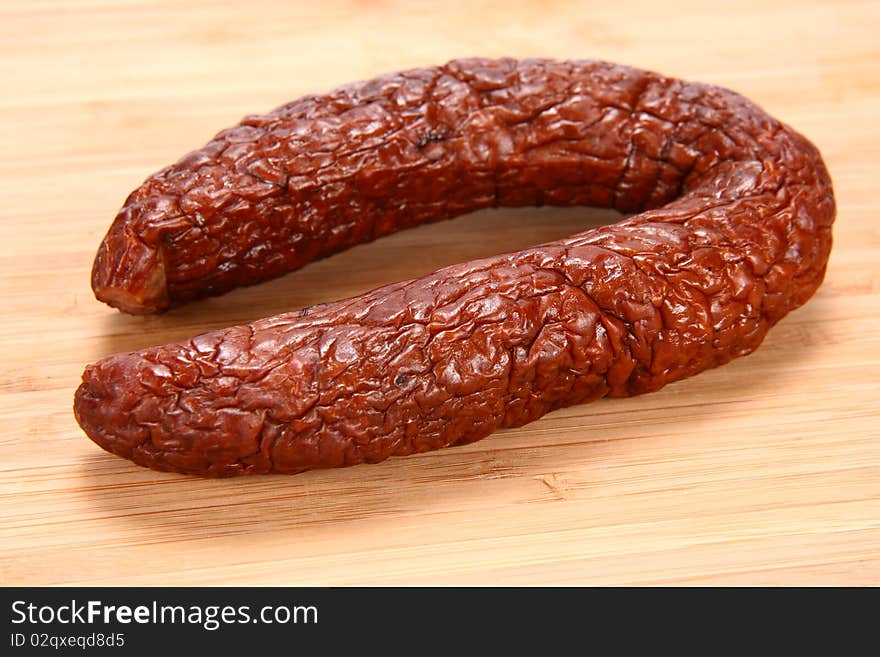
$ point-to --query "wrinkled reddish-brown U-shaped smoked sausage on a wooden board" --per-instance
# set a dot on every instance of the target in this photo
(734, 232)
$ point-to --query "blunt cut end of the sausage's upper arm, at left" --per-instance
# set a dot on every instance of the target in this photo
(130, 275)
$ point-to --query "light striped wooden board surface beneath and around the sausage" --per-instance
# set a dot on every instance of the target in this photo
(765, 471)
